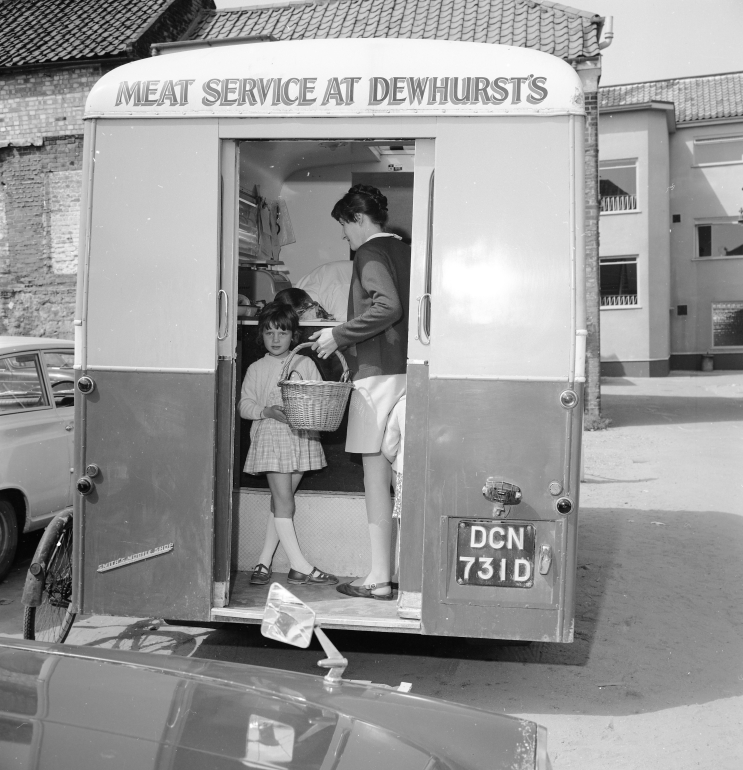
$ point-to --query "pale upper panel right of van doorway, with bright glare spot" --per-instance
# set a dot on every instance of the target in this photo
(501, 295)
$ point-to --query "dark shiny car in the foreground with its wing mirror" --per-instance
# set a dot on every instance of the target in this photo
(85, 708)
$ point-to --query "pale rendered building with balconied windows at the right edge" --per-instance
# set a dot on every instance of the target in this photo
(671, 225)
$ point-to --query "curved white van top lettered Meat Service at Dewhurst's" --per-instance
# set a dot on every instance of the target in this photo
(340, 77)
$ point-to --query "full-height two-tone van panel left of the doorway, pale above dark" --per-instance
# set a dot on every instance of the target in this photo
(150, 334)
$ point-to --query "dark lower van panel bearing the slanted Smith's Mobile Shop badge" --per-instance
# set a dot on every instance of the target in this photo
(152, 436)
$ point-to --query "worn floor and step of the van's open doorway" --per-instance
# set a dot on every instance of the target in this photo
(334, 610)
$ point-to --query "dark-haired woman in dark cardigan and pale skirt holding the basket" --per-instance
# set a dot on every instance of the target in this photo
(378, 328)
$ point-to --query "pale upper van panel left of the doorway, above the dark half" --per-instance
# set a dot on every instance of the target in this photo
(155, 238)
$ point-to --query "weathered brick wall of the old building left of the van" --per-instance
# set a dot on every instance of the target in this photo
(41, 143)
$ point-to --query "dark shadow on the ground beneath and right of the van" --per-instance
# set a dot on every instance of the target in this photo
(658, 624)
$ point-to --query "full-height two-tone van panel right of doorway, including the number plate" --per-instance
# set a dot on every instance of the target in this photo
(502, 353)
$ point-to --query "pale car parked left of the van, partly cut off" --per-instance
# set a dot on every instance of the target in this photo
(36, 436)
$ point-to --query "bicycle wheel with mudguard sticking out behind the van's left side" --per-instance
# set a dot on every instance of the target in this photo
(52, 619)
